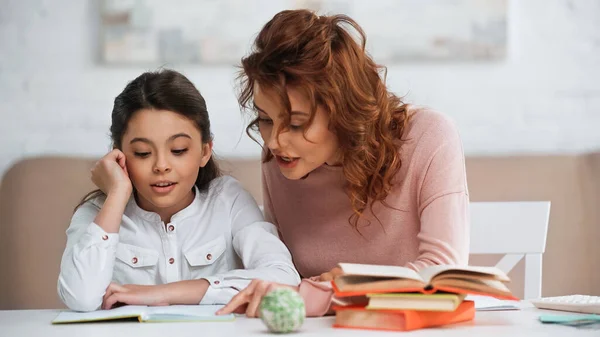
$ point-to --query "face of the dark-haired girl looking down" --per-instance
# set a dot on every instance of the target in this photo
(164, 152)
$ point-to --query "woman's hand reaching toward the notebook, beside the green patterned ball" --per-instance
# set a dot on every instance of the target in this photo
(249, 299)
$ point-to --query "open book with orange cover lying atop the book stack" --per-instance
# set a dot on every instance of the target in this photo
(361, 279)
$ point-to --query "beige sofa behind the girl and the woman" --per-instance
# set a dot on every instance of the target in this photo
(37, 197)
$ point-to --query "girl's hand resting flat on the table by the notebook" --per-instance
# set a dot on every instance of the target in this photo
(134, 295)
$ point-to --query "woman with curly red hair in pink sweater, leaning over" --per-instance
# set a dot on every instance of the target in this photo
(350, 172)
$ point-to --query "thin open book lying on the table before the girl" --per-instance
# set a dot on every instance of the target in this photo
(173, 313)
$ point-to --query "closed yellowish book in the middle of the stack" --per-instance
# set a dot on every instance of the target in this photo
(415, 301)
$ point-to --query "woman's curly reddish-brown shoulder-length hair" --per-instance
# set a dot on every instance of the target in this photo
(320, 56)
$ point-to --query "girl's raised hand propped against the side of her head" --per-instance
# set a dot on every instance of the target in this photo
(110, 174)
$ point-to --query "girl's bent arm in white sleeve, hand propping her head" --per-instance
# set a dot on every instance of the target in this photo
(88, 260)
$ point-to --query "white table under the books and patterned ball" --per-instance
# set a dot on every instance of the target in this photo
(33, 323)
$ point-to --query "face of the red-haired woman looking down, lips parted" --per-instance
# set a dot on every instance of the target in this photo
(298, 149)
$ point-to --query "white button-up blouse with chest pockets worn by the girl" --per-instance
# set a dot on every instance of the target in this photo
(221, 237)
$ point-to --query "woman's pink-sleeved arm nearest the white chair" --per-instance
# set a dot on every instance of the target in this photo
(443, 199)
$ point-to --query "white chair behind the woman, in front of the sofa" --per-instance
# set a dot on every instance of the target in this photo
(517, 230)
